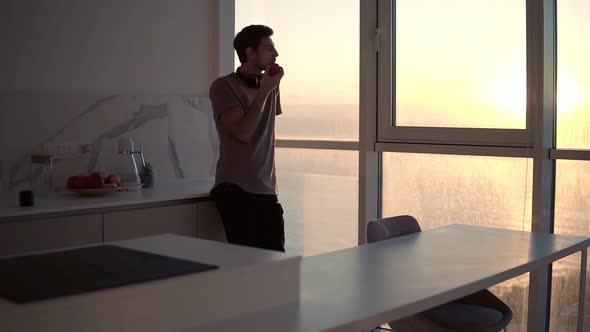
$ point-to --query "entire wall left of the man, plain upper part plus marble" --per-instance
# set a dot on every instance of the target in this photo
(62, 58)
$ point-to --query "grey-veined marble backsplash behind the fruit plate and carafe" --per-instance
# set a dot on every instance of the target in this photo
(177, 133)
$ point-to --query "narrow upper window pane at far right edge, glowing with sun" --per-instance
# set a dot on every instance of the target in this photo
(573, 75)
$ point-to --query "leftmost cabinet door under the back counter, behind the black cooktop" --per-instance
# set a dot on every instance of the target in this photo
(49, 234)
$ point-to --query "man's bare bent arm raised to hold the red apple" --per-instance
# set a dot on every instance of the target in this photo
(242, 125)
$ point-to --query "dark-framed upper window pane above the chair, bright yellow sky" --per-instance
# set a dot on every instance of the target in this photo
(460, 63)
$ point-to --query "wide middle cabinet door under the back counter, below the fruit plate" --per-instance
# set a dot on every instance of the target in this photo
(176, 219)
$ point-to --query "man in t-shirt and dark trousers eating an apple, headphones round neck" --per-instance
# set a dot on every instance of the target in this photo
(245, 104)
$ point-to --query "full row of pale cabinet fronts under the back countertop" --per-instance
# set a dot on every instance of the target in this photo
(199, 219)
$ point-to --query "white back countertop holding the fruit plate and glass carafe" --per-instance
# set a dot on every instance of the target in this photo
(51, 205)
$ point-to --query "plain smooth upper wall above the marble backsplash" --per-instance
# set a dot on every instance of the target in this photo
(122, 46)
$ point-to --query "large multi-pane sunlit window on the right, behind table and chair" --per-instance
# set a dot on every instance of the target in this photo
(457, 76)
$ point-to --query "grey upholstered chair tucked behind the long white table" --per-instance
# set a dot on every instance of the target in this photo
(480, 311)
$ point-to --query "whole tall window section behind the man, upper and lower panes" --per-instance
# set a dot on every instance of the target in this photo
(317, 158)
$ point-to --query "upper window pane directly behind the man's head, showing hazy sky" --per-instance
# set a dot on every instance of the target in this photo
(319, 50)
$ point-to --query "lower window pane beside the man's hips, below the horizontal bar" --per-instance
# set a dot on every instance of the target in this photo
(319, 193)
